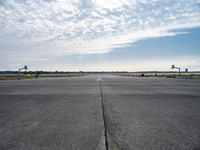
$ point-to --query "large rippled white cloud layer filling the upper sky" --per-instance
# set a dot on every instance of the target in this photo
(58, 27)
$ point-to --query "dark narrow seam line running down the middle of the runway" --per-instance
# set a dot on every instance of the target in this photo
(104, 117)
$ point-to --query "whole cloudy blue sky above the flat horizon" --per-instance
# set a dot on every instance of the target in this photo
(100, 35)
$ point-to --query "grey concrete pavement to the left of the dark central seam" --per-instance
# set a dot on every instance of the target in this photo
(51, 114)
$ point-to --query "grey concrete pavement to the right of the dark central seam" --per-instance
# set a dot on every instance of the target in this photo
(152, 113)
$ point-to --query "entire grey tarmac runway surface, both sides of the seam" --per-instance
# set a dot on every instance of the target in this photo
(100, 113)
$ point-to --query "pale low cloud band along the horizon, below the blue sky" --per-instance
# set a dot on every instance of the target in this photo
(191, 62)
